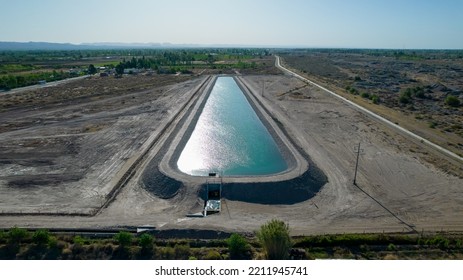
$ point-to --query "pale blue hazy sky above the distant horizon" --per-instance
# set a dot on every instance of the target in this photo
(305, 23)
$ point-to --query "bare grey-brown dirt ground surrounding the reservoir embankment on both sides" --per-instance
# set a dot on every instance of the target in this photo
(66, 158)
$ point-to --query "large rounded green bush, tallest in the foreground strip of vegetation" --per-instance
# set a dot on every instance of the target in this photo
(275, 240)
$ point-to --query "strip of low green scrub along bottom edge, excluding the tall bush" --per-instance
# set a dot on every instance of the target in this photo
(17, 243)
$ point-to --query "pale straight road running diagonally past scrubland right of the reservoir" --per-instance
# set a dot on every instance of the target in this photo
(370, 113)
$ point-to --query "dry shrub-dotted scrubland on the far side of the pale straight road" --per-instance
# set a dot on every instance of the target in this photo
(410, 88)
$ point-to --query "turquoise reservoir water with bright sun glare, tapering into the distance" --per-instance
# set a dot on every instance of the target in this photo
(229, 138)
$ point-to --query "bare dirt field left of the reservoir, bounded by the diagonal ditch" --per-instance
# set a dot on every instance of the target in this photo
(62, 155)
